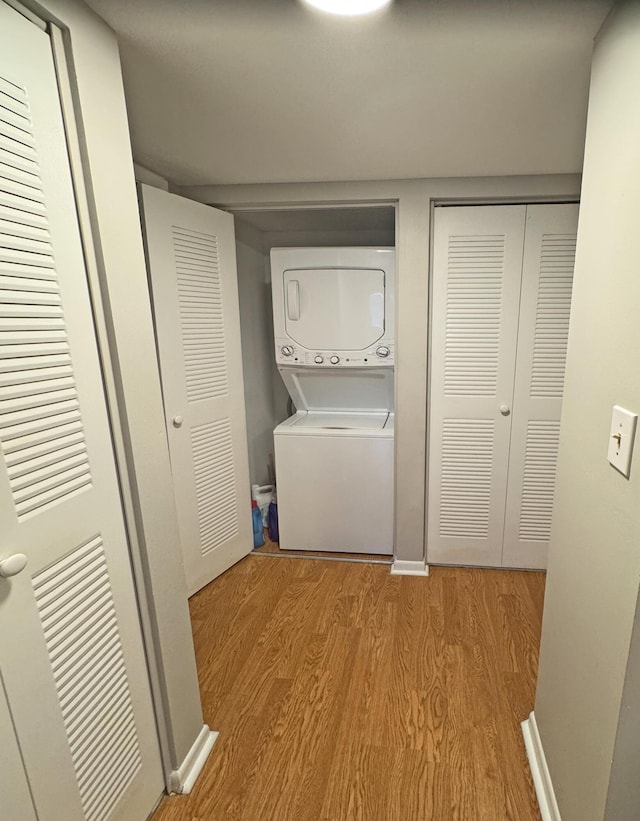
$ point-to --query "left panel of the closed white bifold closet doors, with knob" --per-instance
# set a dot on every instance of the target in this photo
(477, 268)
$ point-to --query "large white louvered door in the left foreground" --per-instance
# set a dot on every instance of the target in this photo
(71, 656)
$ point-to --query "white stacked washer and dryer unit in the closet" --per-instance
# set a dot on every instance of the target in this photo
(334, 344)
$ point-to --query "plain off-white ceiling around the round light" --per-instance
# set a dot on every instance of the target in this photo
(245, 91)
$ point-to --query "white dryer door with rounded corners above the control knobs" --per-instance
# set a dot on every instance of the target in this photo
(340, 309)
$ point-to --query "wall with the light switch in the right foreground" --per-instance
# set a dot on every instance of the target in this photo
(588, 699)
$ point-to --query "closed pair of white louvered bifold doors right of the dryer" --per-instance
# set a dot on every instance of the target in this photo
(501, 299)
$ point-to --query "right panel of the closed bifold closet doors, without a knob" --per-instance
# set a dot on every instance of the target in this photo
(549, 254)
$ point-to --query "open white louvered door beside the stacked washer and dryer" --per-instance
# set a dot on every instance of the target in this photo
(192, 264)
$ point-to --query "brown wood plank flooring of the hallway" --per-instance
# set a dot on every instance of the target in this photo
(343, 693)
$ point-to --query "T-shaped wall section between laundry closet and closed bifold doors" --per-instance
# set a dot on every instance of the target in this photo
(414, 200)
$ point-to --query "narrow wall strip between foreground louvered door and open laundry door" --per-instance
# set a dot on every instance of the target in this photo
(109, 177)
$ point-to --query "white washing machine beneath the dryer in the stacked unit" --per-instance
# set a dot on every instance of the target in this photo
(334, 467)
